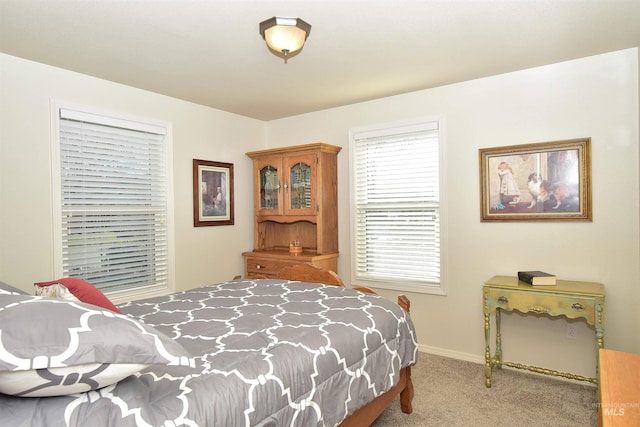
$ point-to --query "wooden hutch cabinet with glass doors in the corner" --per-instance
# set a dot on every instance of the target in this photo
(295, 199)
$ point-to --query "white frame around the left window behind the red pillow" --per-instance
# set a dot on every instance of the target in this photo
(123, 295)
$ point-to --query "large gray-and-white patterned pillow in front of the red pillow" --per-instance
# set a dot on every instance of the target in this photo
(52, 347)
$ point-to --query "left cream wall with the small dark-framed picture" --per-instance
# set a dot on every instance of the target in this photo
(203, 255)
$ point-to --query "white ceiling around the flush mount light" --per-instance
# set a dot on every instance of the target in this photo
(210, 52)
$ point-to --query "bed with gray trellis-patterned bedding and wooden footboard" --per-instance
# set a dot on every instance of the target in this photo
(247, 352)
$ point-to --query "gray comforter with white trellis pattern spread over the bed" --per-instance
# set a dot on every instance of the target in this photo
(267, 353)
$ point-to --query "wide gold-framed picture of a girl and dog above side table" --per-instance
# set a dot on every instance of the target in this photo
(547, 181)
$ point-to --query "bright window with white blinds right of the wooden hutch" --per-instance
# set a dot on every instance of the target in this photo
(396, 207)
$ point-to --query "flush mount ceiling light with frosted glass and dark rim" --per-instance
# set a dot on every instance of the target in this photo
(285, 36)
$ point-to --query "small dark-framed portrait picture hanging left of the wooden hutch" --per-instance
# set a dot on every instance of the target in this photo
(212, 193)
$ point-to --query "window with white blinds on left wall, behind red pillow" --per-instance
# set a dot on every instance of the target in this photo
(113, 193)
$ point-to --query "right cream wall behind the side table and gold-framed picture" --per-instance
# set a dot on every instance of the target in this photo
(593, 97)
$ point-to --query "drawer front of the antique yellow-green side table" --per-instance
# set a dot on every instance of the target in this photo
(553, 304)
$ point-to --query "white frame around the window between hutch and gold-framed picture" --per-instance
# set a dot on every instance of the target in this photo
(395, 284)
